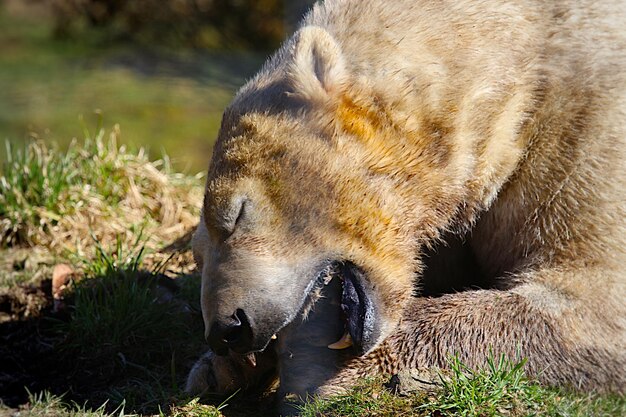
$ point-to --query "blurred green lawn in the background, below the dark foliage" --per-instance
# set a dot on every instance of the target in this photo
(170, 100)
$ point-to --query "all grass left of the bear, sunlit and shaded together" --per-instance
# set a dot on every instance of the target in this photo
(127, 333)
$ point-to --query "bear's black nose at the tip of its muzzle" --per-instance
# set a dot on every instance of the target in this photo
(232, 332)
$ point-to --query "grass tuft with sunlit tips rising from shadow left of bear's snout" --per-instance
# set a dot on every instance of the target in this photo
(115, 307)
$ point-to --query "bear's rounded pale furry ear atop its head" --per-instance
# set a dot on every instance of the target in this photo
(318, 69)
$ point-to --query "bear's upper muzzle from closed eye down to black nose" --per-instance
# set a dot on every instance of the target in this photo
(253, 271)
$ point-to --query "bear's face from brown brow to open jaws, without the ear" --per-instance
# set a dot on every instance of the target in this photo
(277, 225)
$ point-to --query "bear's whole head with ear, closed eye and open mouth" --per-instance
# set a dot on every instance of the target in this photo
(302, 187)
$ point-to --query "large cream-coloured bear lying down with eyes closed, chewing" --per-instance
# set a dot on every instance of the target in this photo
(408, 180)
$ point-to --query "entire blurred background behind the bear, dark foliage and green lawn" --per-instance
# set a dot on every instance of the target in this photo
(162, 70)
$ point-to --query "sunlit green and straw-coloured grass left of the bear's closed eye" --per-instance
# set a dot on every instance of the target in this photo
(60, 199)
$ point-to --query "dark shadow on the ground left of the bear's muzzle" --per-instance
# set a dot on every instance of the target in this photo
(39, 350)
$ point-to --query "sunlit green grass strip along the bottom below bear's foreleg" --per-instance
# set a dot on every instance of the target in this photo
(498, 389)
